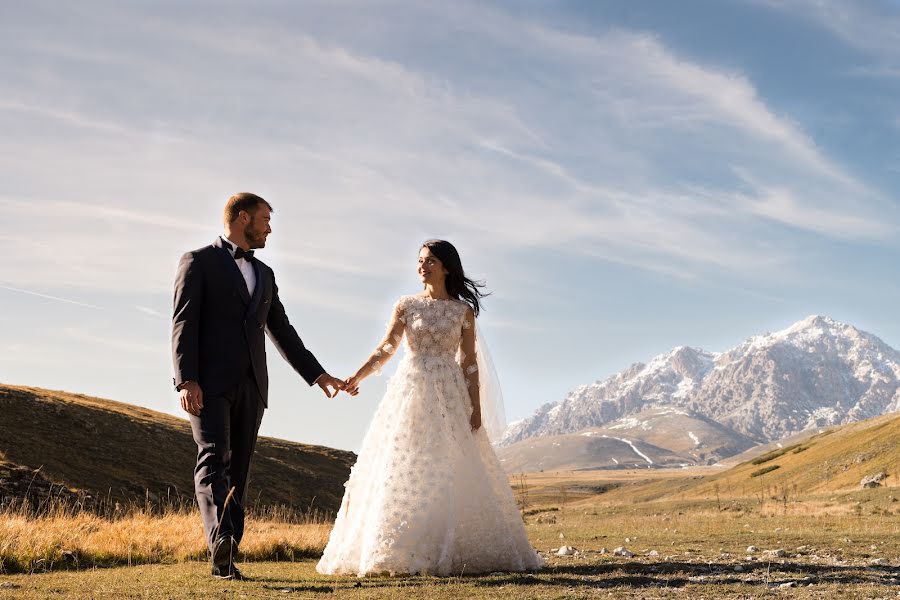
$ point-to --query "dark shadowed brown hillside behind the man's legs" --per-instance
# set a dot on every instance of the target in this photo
(70, 445)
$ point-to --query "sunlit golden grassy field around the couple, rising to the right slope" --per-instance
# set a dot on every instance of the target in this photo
(793, 522)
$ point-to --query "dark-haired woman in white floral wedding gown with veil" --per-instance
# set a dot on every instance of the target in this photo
(427, 493)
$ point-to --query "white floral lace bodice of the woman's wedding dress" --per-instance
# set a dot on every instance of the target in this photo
(433, 327)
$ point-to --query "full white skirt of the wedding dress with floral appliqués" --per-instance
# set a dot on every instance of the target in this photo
(427, 494)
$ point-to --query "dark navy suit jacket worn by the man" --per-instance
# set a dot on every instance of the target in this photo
(218, 330)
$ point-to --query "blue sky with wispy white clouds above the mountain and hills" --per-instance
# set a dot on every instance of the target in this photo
(627, 177)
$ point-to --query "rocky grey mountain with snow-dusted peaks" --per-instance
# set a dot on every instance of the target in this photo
(816, 373)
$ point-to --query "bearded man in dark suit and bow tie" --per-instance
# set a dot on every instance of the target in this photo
(225, 302)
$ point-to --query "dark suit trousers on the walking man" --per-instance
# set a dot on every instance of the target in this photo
(225, 433)
